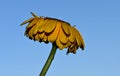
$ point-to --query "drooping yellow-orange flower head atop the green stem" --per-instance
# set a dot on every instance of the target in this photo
(45, 29)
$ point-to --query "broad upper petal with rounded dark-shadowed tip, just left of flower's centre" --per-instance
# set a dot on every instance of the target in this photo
(51, 26)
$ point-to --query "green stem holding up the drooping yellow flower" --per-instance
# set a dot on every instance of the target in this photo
(49, 60)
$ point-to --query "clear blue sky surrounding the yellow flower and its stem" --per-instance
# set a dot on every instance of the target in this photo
(97, 20)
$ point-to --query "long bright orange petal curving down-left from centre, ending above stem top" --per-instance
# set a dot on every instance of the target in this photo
(53, 36)
